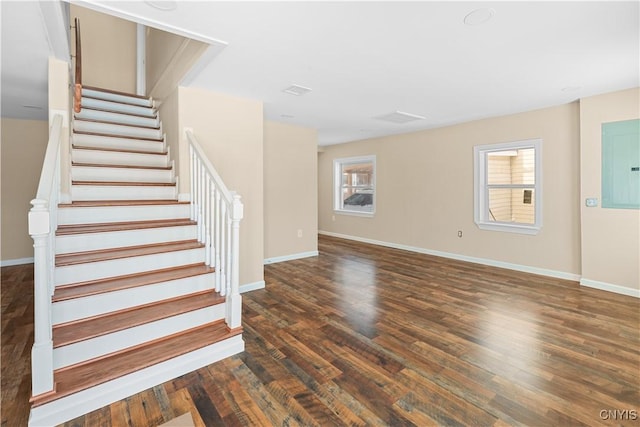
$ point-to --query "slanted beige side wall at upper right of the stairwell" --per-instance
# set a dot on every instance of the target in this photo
(168, 58)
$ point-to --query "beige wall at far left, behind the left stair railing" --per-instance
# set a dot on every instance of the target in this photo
(23, 144)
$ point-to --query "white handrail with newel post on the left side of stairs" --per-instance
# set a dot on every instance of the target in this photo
(42, 228)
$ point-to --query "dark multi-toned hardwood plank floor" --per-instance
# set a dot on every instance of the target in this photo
(364, 335)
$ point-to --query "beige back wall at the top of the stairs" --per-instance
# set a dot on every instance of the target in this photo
(108, 50)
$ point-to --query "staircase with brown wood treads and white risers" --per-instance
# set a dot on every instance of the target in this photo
(134, 301)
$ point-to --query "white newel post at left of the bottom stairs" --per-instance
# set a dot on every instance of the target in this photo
(42, 351)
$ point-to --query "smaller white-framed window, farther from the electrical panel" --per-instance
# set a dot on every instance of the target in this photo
(354, 185)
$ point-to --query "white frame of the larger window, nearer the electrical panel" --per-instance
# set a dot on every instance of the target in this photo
(481, 187)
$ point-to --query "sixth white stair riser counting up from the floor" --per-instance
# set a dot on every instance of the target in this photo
(100, 214)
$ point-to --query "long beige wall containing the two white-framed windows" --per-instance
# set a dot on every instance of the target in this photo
(425, 190)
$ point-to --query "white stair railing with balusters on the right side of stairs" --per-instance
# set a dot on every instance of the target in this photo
(218, 212)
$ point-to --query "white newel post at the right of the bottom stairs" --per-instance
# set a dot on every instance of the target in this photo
(234, 306)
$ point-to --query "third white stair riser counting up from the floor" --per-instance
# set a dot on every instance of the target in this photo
(94, 305)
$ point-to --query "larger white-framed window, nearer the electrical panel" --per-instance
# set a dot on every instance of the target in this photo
(508, 186)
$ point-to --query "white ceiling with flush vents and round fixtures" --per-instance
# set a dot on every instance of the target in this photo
(367, 59)
